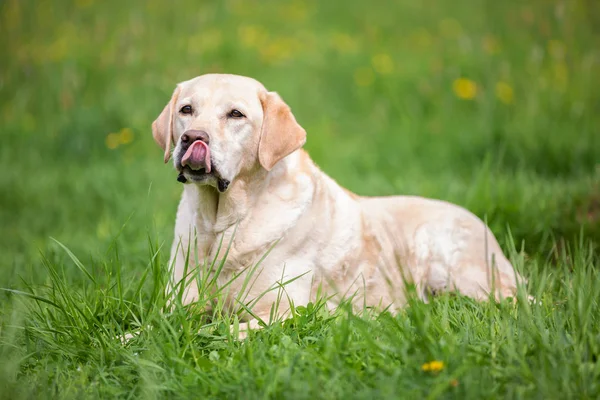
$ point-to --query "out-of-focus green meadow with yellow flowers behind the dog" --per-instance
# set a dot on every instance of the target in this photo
(492, 105)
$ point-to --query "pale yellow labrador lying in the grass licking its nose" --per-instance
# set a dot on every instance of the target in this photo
(247, 181)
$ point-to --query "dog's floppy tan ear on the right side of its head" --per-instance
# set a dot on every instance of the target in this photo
(281, 134)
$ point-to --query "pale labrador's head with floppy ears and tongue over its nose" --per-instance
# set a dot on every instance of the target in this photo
(224, 126)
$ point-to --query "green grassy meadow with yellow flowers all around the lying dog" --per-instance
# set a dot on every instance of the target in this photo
(373, 83)
